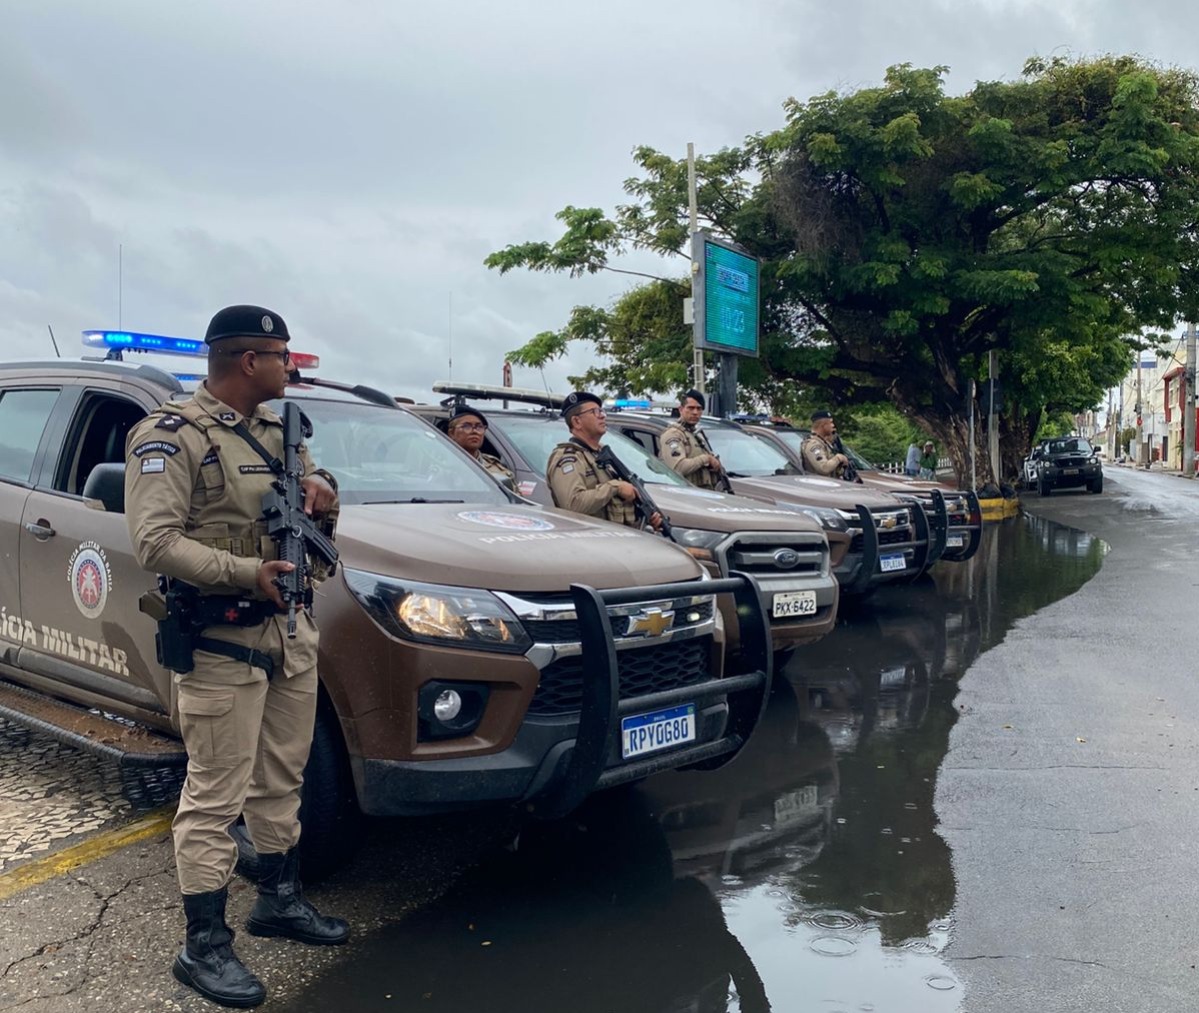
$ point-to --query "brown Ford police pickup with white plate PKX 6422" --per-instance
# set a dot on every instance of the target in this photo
(785, 550)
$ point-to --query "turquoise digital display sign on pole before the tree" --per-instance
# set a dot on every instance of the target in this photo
(726, 286)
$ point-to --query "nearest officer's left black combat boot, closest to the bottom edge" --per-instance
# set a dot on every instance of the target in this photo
(207, 962)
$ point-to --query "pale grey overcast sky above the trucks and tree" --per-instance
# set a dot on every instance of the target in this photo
(351, 164)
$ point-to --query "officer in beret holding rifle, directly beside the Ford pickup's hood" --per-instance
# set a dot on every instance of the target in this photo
(577, 481)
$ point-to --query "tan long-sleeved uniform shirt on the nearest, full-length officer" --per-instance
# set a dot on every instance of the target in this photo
(194, 493)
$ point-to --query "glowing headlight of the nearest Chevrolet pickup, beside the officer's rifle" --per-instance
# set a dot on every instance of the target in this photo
(438, 613)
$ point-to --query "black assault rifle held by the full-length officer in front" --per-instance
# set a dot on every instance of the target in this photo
(293, 530)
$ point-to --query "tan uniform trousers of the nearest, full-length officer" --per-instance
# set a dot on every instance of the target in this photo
(248, 744)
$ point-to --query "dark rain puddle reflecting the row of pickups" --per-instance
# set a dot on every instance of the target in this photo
(806, 876)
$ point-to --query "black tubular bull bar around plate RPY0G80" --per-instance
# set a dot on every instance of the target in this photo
(748, 694)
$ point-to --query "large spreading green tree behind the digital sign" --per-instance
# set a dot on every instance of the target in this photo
(906, 234)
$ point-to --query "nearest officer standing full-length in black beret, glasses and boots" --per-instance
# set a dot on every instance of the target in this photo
(195, 486)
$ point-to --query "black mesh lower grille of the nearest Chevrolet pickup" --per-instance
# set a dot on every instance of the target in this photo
(642, 671)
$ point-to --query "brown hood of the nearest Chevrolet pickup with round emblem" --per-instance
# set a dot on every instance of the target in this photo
(505, 548)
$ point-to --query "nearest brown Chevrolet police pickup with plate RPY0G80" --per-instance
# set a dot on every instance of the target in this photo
(475, 649)
